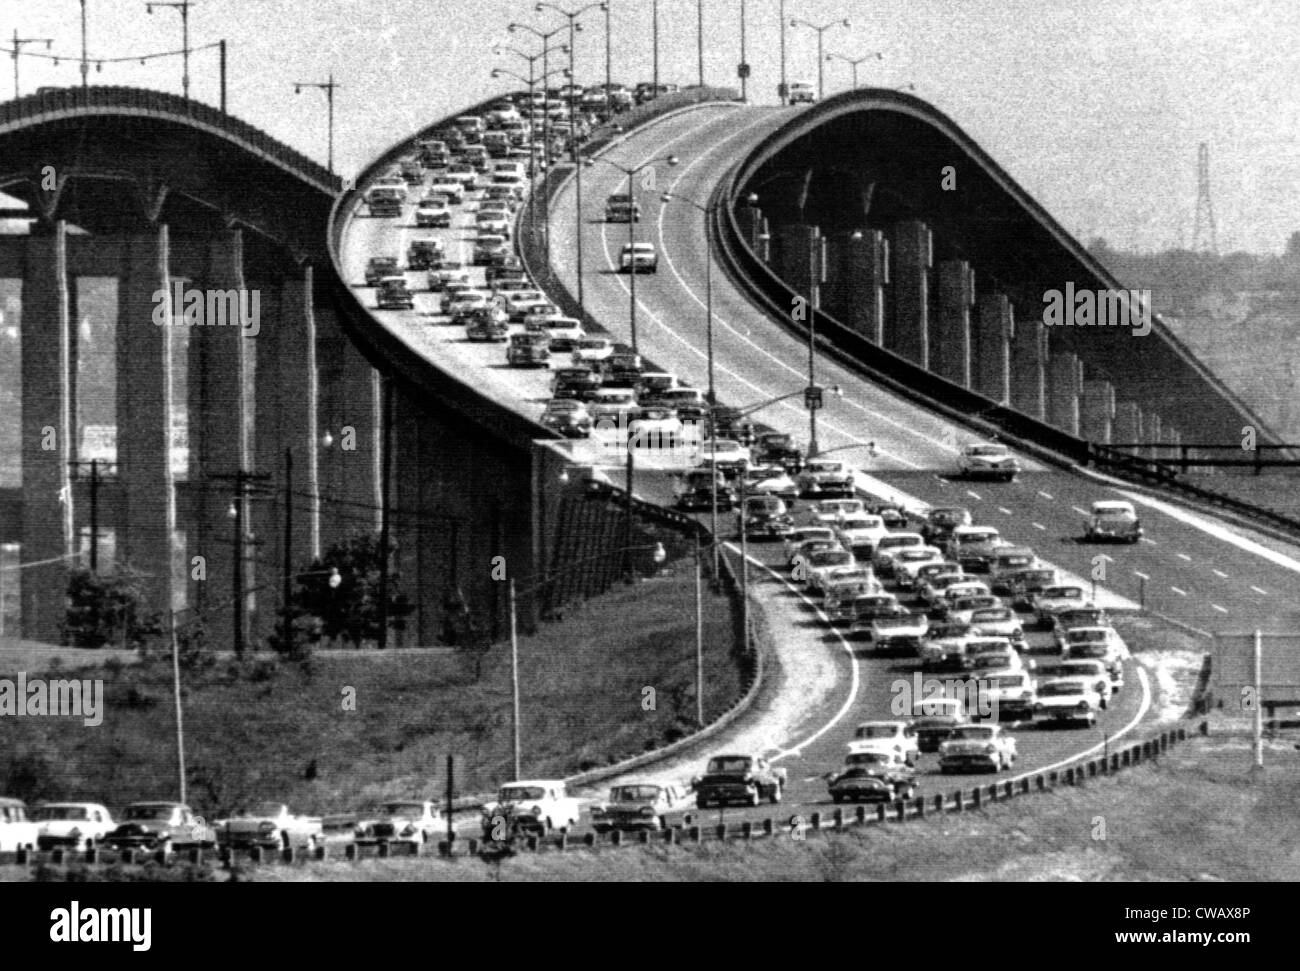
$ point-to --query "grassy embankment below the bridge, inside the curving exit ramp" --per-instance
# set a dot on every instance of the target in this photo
(270, 730)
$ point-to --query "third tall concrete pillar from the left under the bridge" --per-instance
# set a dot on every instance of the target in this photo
(219, 426)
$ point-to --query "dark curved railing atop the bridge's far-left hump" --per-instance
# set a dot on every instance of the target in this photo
(71, 101)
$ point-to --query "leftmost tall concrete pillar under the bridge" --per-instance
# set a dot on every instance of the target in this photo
(47, 434)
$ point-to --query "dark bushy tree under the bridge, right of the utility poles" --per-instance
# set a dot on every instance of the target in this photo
(349, 609)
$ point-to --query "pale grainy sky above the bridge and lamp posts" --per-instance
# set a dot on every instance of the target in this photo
(1097, 107)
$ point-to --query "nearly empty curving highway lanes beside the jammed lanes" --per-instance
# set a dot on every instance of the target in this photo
(1204, 573)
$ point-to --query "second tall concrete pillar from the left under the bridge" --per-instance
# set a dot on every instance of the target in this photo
(145, 415)
